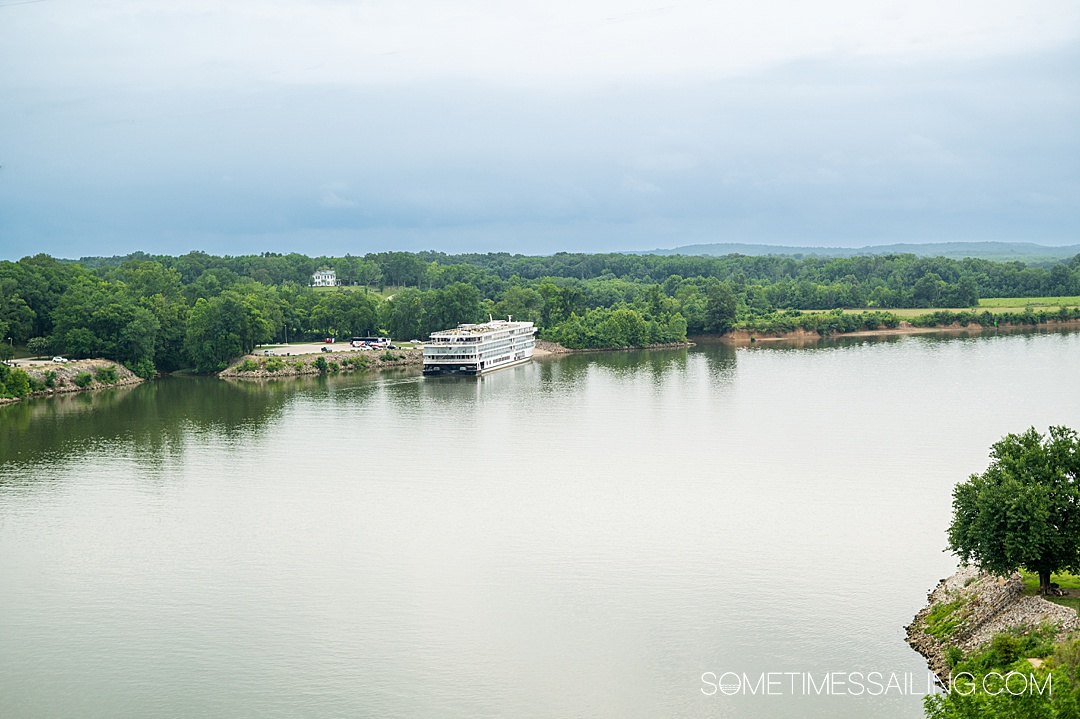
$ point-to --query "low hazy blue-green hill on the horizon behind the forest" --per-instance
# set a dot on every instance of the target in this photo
(1024, 252)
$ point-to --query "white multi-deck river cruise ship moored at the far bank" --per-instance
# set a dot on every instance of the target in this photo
(479, 349)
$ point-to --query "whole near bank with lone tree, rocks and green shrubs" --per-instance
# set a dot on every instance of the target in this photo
(1009, 615)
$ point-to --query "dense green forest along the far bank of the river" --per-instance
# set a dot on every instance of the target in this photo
(164, 314)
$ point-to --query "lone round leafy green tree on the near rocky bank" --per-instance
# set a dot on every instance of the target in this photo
(1024, 511)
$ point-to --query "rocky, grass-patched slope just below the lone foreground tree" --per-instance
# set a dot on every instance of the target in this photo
(966, 611)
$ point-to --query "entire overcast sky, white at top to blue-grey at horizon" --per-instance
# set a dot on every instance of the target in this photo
(337, 127)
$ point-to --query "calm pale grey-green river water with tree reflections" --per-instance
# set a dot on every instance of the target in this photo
(582, 537)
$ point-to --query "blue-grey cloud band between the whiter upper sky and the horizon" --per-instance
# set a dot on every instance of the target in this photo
(838, 152)
